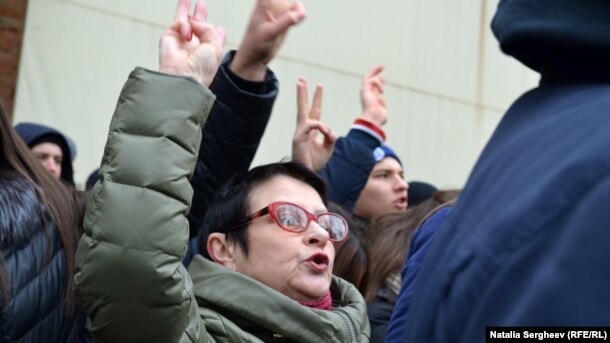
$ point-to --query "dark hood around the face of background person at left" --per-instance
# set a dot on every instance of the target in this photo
(33, 134)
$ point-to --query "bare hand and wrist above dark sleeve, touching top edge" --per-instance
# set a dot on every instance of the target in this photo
(268, 26)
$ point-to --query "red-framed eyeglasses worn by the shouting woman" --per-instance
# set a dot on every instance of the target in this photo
(293, 218)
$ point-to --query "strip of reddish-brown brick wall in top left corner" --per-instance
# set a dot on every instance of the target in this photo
(12, 23)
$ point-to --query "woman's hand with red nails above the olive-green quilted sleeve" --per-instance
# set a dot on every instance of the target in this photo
(191, 46)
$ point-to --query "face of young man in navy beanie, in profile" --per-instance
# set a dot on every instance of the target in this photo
(385, 191)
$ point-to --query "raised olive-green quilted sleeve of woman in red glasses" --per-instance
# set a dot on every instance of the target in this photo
(129, 277)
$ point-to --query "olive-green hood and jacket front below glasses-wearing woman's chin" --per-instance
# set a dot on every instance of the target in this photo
(237, 308)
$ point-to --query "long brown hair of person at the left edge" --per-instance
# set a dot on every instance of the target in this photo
(60, 201)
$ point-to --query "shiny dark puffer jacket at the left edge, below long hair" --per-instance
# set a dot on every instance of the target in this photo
(34, 262)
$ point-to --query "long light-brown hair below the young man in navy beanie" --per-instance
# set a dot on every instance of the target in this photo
(390, 235)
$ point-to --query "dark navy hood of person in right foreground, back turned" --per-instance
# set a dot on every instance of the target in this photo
(556, 34)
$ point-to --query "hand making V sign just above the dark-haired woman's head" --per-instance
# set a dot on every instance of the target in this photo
(306, 147)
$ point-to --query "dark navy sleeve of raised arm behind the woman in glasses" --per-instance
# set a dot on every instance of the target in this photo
(230, 137)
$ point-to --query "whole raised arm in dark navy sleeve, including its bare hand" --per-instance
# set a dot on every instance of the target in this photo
(245, 90)
